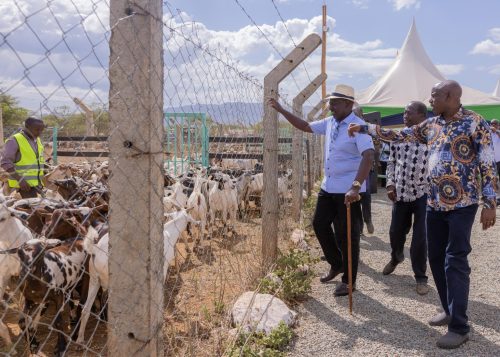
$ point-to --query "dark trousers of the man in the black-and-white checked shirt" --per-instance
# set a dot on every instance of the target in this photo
(402, 213)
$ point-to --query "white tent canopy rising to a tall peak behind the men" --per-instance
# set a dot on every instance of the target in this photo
(411, 77)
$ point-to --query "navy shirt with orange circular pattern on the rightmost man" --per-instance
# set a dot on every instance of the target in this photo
(461, 158)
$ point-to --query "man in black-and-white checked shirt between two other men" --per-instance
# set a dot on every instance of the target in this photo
(407, 186)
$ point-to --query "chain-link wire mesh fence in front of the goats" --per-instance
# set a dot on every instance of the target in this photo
(191, 175)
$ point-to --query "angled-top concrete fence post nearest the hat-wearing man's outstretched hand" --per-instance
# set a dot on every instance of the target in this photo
(270, 213)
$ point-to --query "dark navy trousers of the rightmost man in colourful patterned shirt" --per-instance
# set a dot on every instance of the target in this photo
(448, 235)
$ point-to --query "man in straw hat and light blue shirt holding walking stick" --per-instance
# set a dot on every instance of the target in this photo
(347, 164)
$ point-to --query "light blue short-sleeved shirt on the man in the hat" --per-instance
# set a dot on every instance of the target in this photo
(342, 153)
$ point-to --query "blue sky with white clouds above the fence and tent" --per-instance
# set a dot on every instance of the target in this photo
(220, 50)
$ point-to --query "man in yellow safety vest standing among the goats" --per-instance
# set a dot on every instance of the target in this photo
(23, 158)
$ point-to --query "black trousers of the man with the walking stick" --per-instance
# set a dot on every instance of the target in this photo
(330, 208)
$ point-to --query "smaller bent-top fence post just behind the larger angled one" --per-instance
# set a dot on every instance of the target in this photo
(297, 146)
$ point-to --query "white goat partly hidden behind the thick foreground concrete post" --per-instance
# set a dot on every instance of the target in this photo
(98, 265)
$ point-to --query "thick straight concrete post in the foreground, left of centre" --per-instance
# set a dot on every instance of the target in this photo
(136, 185)
